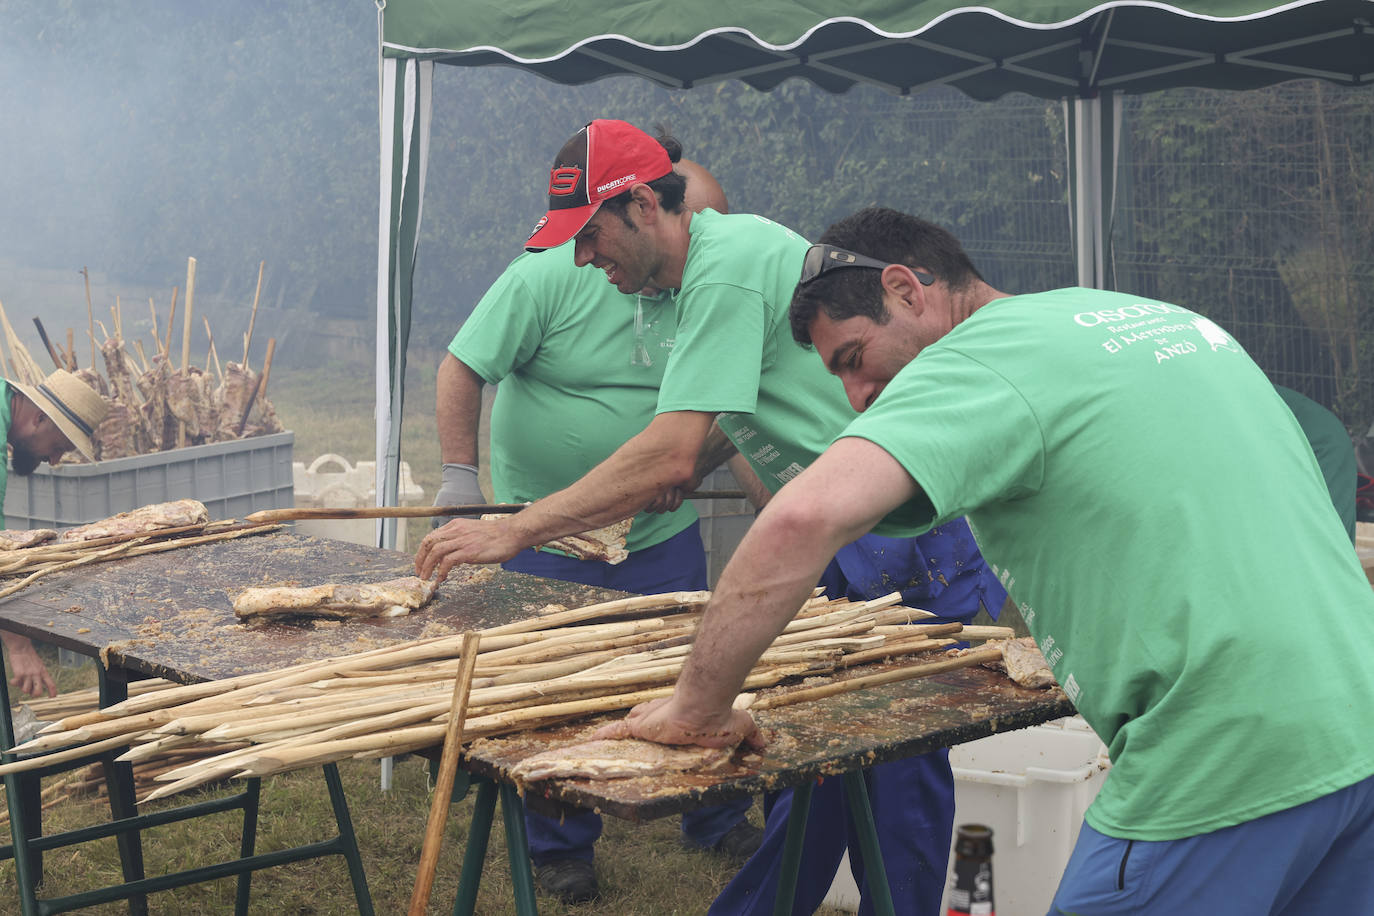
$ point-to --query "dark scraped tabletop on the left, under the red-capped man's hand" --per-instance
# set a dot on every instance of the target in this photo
(172, 616)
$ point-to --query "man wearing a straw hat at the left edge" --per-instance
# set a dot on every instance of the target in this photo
(43, 424)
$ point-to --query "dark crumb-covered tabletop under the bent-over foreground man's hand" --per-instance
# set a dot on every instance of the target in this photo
(807, 741)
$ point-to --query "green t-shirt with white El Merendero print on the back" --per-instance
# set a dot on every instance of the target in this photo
(1163, 525)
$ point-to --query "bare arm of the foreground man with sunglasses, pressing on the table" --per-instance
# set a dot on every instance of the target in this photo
(843, 495)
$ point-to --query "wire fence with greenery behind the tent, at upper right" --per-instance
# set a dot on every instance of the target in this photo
(1252, 208)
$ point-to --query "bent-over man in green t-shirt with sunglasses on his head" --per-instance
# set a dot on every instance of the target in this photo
(1105, 450)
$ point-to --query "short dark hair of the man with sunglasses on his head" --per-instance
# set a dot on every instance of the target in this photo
(887, 236)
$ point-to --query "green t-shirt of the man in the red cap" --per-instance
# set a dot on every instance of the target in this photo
(736, 354)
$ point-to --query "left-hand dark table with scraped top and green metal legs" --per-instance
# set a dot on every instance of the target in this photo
(171, 616)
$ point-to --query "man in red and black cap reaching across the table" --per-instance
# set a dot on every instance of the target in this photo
(736, 371)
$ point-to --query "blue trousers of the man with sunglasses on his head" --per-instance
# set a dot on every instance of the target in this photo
(1317, 858)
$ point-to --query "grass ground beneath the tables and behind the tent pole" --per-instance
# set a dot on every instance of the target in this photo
(644, 870)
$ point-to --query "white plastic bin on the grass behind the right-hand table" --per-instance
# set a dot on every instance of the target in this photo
(1031, 788)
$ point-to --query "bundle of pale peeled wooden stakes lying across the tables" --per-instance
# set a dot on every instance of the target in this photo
(552, 668)
